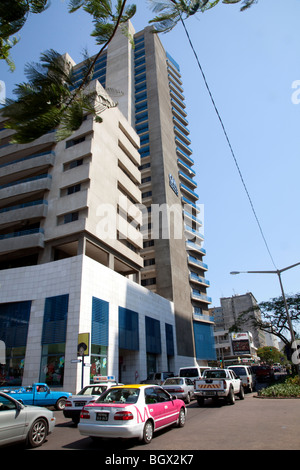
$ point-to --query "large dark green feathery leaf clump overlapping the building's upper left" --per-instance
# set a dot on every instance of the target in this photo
(46, 101)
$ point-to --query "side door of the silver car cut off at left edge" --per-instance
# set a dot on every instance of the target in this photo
(12, 421)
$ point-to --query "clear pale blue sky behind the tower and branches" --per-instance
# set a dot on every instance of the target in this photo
(251, 61)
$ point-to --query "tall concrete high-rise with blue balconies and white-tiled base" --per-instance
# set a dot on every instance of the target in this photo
(78, 220)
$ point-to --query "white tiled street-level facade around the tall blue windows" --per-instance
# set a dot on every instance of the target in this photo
(82, 278)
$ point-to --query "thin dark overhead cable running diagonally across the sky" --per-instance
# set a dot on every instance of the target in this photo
(229, 143)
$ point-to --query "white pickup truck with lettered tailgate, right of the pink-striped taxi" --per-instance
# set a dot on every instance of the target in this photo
(219, 383)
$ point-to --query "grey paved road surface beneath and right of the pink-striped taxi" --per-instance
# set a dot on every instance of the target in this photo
(251, 424)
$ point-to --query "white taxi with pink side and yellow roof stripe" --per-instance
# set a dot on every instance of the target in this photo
(131, 411)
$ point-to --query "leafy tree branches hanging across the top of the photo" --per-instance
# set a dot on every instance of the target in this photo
(47, 101)
